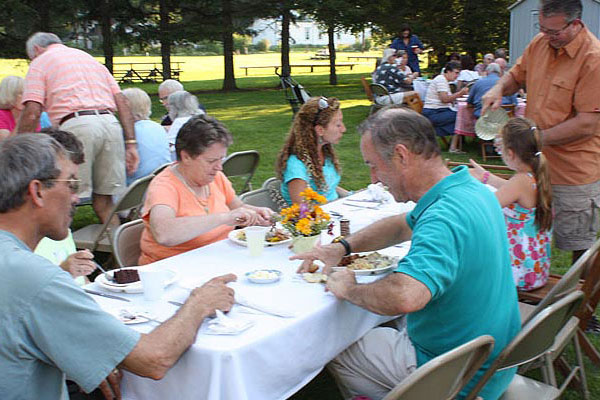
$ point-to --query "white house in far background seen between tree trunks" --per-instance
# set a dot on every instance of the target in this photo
(301, 32)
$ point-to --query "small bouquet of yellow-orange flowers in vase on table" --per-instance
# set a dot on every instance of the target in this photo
(306, 220)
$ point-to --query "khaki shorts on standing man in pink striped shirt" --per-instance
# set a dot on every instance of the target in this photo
(103, 171)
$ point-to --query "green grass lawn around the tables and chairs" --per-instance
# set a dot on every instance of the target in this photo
(259, 118)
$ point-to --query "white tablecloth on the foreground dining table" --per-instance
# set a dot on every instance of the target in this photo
(275, 357)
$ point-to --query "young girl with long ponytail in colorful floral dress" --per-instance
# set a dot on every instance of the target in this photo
(526, 199)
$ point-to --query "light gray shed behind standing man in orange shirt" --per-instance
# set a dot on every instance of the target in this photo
(524, 17)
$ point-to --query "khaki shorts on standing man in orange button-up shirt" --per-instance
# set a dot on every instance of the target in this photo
(576, 215)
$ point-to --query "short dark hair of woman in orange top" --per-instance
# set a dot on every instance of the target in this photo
(199, 133)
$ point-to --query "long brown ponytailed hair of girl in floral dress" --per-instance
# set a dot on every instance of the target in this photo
(522, 137)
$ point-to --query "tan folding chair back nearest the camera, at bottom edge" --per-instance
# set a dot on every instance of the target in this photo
(444, 376)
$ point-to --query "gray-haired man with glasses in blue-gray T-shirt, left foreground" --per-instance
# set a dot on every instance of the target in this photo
(49, 327)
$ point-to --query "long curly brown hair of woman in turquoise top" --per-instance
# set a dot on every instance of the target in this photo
(303, 142)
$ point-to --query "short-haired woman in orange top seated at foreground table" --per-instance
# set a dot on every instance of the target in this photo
(191, 203)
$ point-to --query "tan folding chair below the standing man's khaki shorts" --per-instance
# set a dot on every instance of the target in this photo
(98, 236)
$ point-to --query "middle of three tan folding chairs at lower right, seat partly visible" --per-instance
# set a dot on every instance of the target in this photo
(532, 342)
